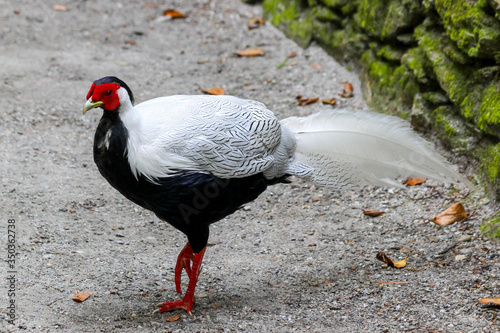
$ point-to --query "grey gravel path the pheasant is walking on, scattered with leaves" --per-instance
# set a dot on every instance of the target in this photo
(300, 258)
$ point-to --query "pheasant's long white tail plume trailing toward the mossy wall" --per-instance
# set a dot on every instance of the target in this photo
(343, 148)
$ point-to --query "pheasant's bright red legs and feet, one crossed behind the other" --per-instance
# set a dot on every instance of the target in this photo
(184, 261)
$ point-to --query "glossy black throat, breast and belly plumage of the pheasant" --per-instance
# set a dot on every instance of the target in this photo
(188, 201)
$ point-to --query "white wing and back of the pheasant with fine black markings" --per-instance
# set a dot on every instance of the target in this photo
(222, 135)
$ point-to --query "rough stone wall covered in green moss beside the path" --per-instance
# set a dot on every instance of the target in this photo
(433, 62)
